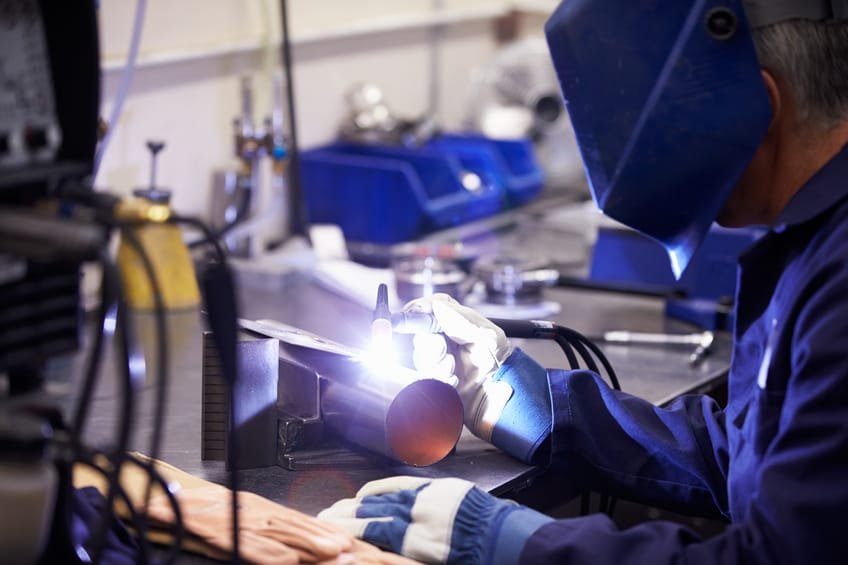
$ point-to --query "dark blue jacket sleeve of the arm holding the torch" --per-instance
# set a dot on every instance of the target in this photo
(611, 442)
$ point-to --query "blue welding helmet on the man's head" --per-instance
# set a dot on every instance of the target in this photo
(668, 104)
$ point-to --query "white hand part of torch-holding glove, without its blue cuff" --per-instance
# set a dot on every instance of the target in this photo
(479, 349)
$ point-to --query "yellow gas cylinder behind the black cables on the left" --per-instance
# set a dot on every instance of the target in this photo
(164, 246)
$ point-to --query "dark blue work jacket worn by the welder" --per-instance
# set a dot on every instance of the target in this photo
(774, 462)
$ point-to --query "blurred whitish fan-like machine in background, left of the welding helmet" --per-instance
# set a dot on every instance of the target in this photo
(516, 95)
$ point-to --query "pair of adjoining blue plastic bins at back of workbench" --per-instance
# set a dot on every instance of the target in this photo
(389, 194)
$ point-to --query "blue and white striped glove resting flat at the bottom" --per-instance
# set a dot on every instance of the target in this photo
(437, 520)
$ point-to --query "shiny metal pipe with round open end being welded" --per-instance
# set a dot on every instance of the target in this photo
(417, 422)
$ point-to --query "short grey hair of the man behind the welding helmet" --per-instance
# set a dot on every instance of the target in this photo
(812, 57)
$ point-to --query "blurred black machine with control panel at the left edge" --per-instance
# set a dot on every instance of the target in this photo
(49, 96)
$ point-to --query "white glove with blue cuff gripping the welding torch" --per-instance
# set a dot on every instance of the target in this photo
(504, 392)
